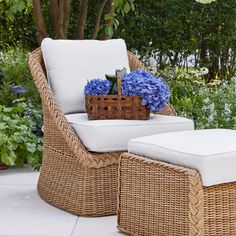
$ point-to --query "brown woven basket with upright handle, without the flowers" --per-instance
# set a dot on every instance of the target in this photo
(116, 106)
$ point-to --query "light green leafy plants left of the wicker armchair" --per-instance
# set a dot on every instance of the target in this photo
(20, 119)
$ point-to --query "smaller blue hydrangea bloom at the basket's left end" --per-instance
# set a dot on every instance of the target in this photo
(97, 87)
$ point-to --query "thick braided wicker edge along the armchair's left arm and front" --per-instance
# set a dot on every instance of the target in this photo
(67, 132)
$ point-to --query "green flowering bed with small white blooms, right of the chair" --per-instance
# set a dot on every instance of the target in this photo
(210, 105)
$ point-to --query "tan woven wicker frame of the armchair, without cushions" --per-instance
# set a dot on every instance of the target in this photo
(72, 178)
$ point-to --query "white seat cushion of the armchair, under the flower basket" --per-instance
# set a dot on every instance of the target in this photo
(113, 135)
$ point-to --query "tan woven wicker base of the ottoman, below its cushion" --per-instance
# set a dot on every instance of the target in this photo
(160, 199)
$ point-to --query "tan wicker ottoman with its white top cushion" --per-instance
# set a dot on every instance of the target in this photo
(186, 187)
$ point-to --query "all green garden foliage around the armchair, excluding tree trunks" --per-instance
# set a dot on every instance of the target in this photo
(182, 37)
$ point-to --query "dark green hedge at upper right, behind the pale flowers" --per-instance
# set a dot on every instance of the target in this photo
(184, 33)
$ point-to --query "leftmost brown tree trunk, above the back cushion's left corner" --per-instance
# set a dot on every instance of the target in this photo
(41, 32)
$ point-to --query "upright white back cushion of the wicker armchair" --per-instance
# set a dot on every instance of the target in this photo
(71, 63)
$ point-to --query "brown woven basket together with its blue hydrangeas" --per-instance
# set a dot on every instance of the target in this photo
(129, 96)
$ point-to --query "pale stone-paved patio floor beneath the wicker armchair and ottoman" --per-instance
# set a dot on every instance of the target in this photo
(24, 213)
